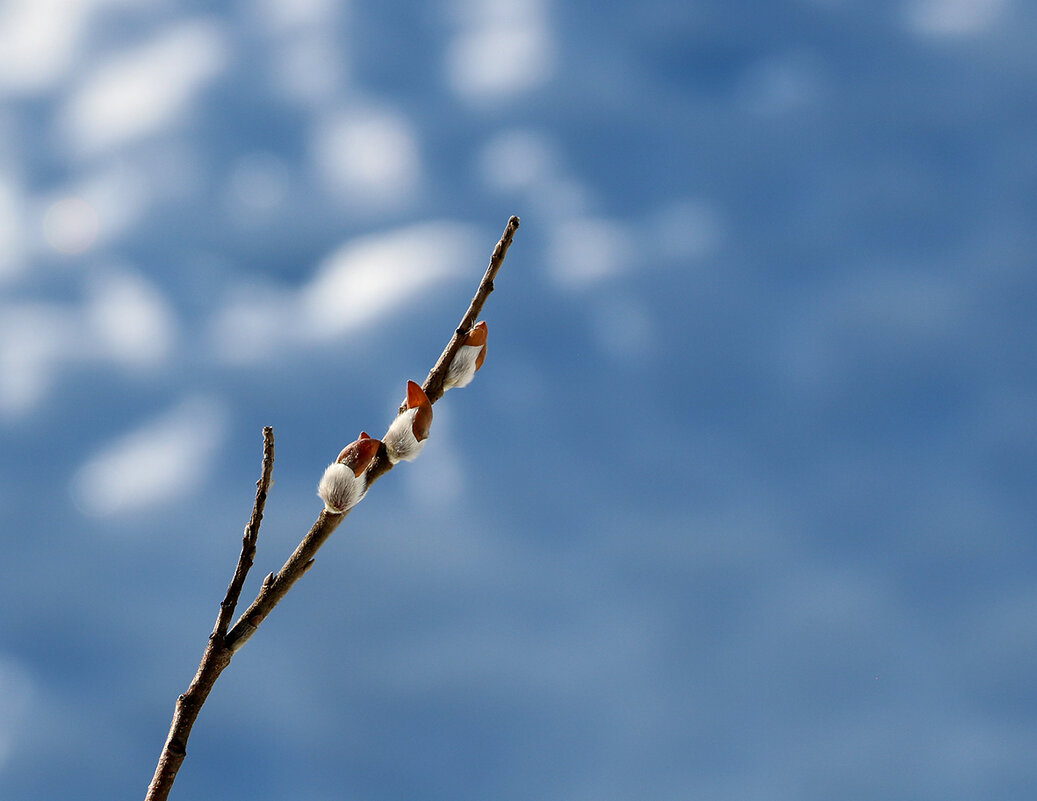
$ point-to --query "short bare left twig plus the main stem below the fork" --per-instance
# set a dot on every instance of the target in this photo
(217, 655)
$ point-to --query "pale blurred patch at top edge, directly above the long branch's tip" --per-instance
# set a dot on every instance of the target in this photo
(503, 49)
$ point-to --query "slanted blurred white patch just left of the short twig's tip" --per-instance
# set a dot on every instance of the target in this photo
(156, 465)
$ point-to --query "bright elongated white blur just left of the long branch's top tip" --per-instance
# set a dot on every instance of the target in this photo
(374, 277)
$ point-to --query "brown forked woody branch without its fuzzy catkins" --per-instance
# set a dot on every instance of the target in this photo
(226, 640)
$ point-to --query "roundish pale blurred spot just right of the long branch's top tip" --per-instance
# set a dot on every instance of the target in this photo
(586, 252)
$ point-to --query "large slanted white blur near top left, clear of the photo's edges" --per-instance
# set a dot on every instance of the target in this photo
(146, 90)
